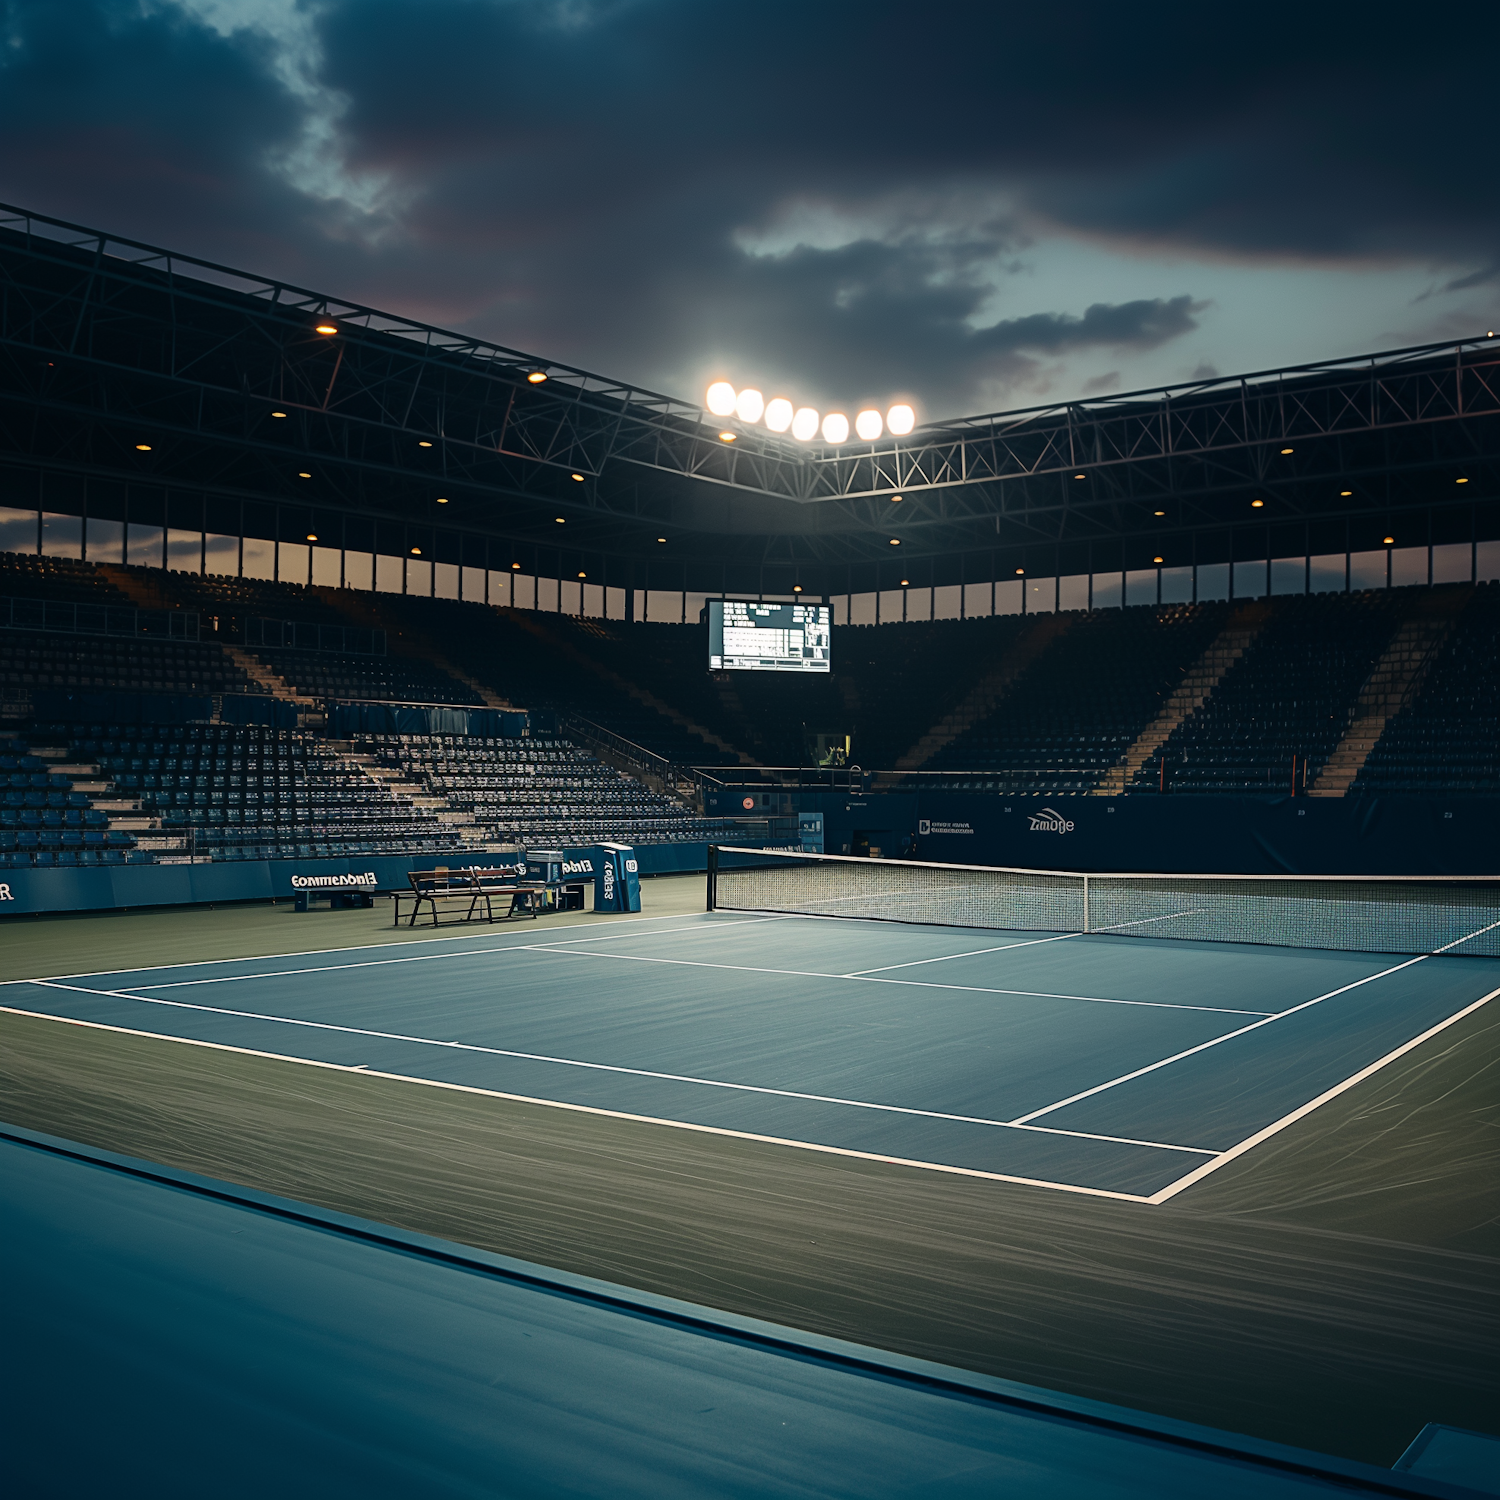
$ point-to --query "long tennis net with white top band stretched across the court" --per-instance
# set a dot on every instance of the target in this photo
(1360, 914)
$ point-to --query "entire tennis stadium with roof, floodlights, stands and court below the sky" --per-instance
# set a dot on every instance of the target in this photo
(1138, 752)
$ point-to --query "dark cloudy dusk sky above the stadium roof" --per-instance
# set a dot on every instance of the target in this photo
(971, 206)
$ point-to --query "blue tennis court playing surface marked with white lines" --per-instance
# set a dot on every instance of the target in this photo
(1109, 1066)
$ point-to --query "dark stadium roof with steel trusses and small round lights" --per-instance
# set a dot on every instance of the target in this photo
(128, 365)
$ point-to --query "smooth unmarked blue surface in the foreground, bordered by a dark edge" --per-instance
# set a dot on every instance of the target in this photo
(172, 1336)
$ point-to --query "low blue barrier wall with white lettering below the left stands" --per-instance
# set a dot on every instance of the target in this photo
(112, 887)
